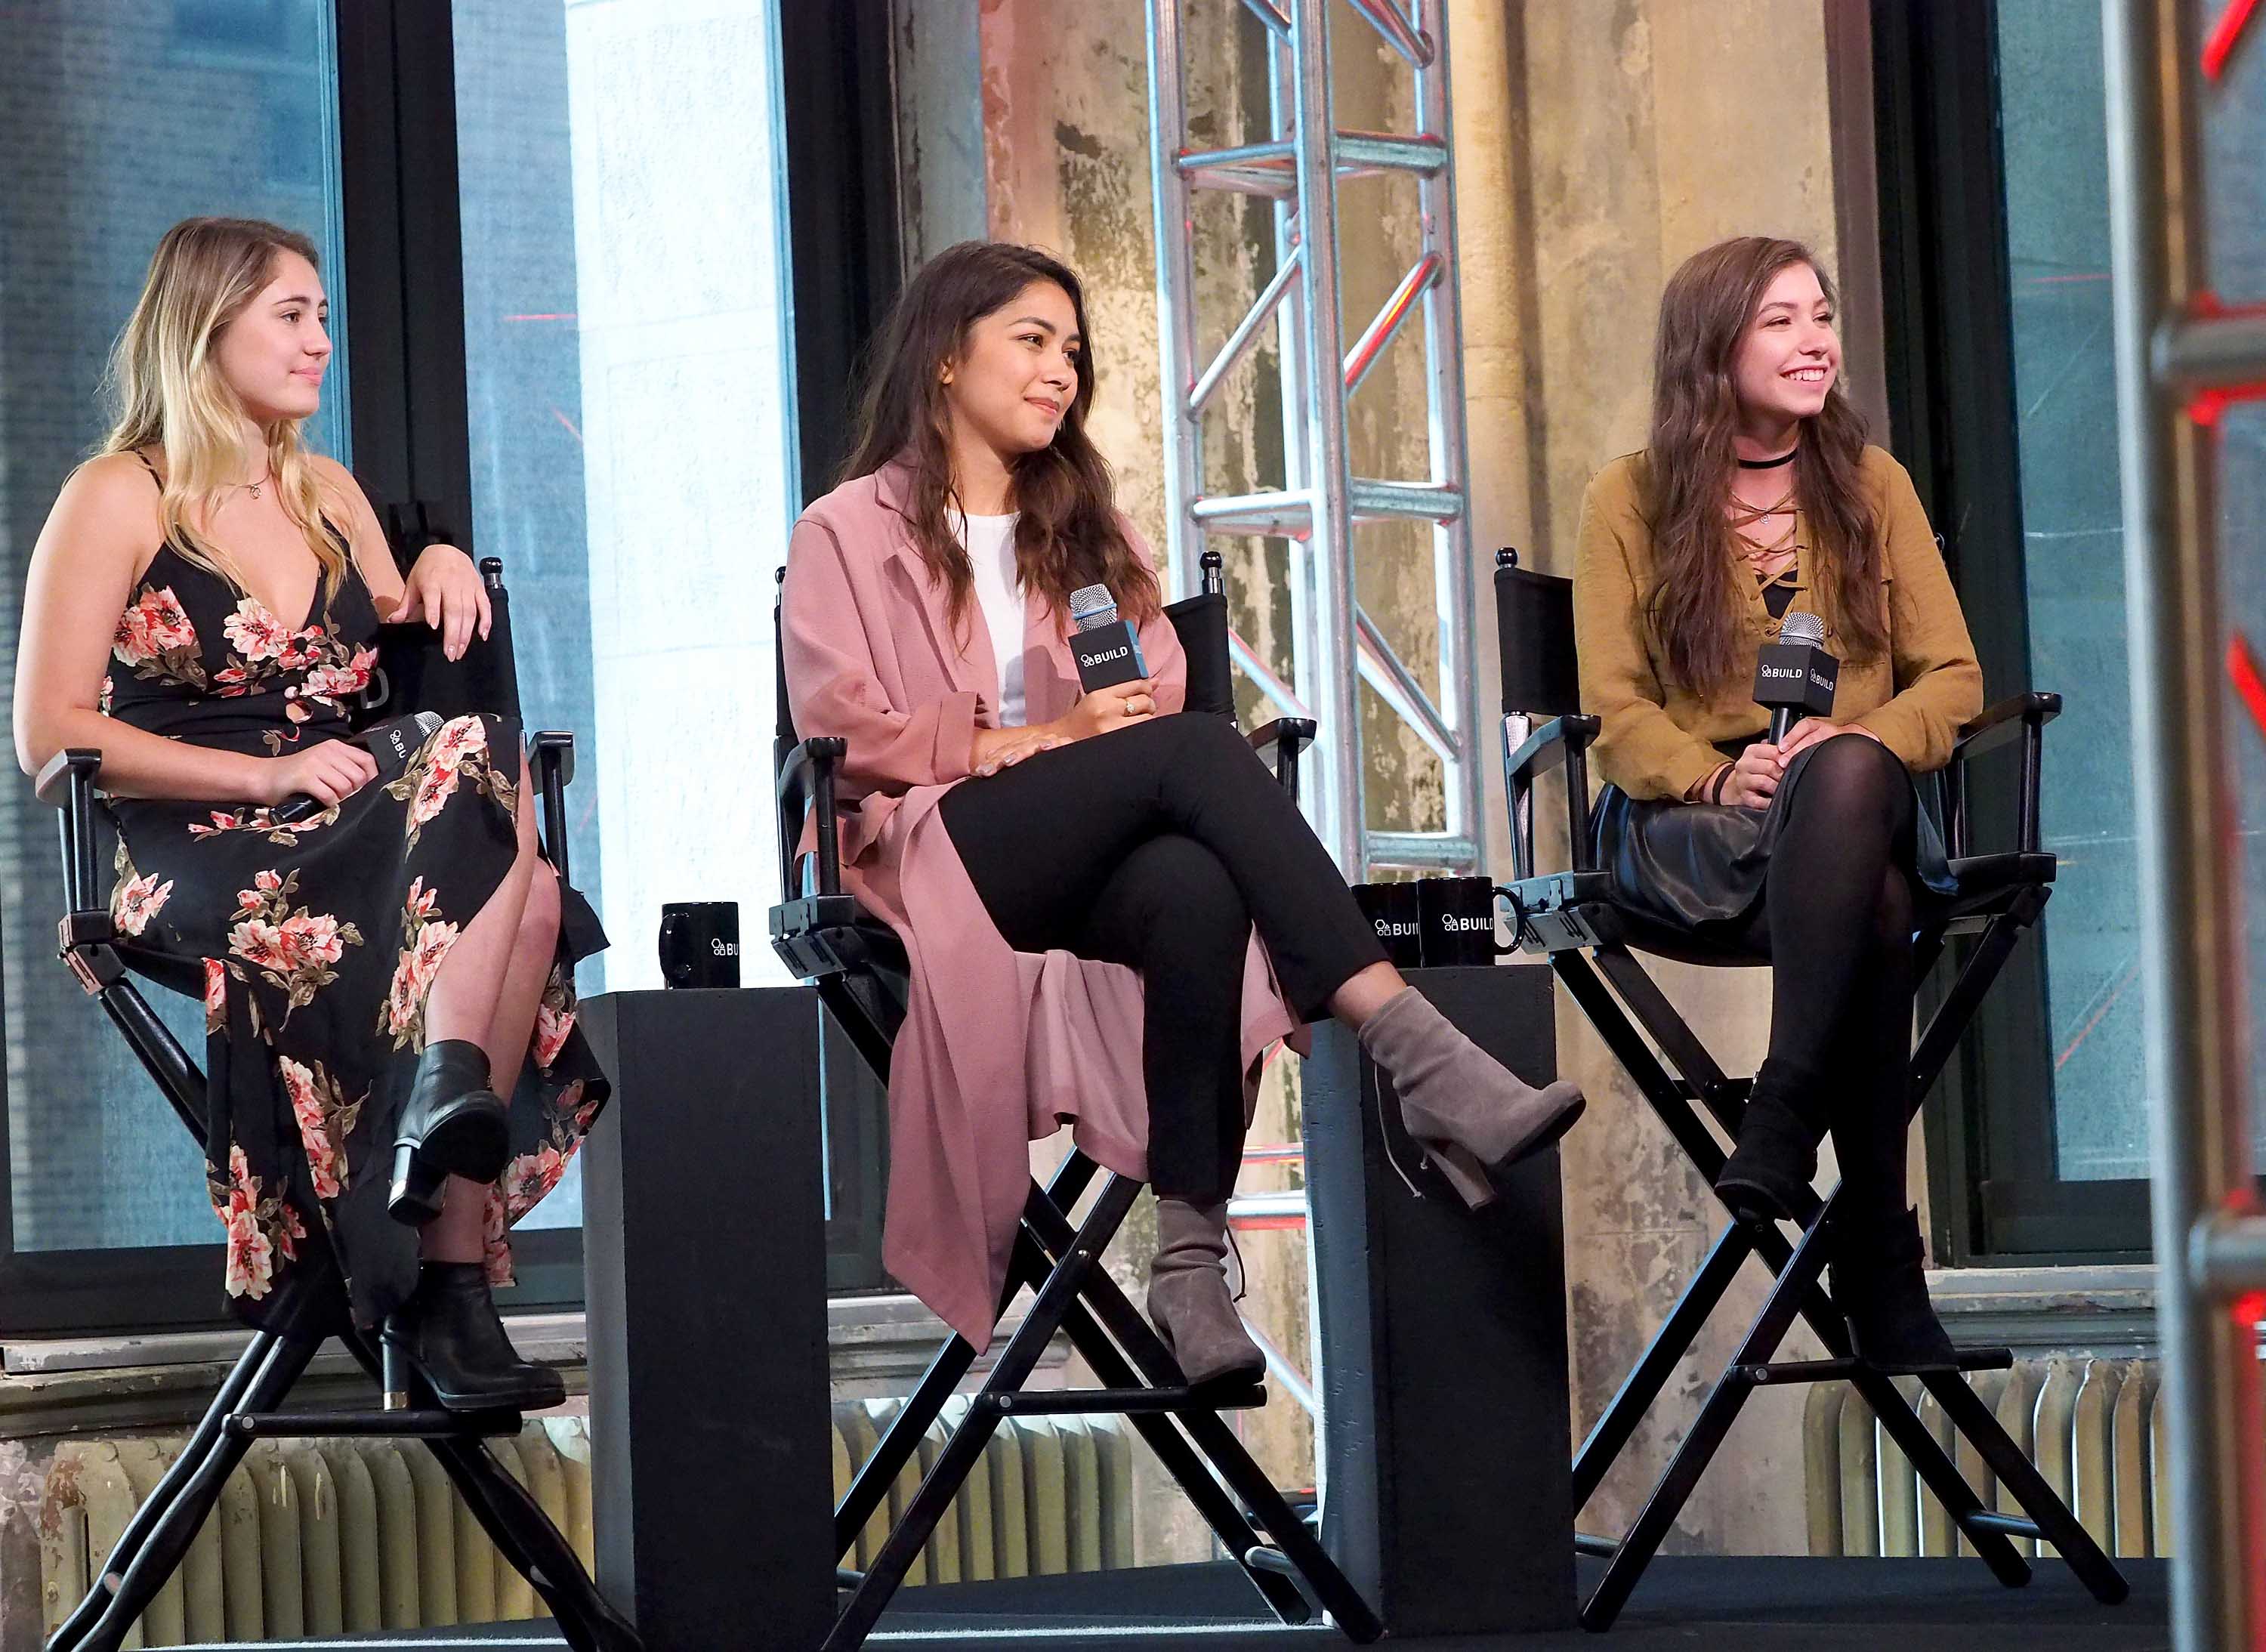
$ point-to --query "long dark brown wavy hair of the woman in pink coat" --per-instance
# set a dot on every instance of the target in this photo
(1066, 527)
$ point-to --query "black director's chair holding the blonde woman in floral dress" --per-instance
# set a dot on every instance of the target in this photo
(312, 1304)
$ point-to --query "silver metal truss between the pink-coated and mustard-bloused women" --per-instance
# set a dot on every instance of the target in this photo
(1334, 642)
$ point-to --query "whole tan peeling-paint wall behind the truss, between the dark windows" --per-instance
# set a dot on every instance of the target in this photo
(1596, 146)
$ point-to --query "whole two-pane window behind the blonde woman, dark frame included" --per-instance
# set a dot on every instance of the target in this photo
(554, 235)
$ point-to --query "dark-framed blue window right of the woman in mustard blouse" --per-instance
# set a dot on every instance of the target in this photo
(1995, 219)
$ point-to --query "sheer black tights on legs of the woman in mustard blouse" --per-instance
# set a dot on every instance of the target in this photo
(1837, 921)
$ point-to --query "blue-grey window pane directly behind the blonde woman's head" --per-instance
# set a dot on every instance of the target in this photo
(117, 121)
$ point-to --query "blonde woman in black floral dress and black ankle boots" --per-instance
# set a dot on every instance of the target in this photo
(393, 1064)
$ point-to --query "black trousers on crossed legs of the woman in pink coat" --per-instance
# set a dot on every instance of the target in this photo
(1161, 846)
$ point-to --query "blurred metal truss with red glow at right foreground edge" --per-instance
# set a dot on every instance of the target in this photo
(2181, 361)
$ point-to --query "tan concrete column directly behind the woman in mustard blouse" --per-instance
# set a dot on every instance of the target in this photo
(1639, 151)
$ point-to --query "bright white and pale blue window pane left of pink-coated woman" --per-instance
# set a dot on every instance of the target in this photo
(627, 325)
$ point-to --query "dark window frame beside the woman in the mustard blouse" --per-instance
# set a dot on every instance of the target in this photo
(1948, 309)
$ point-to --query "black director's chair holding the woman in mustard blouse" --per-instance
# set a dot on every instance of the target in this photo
(1592, 946)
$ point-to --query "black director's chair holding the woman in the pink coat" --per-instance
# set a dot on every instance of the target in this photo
(860, 973)
